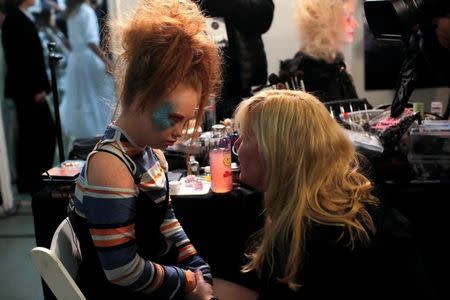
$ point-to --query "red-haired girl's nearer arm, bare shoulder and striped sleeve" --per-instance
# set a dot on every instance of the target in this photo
(110, 213)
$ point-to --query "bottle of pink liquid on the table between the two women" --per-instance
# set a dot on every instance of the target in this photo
(220, 160)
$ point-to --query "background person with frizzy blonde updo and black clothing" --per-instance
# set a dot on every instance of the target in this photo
(325, 27)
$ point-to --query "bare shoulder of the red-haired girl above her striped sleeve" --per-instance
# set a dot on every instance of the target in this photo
(105, 169)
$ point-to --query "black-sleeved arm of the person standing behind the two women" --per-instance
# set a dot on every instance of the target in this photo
(253, 16)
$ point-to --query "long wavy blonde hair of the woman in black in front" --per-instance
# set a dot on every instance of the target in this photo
(312, 176)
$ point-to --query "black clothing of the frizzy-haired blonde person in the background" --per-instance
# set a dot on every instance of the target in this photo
(327, 81)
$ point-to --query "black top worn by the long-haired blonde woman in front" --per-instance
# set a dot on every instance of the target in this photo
(389, 267)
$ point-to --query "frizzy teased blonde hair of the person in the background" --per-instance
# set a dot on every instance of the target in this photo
(319, 23)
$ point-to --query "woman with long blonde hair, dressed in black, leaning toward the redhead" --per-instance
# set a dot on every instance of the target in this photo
(325, 236)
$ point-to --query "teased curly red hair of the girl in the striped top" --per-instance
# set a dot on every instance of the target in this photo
(164, 44)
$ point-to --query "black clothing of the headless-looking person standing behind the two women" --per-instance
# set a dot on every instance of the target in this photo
(245, 62)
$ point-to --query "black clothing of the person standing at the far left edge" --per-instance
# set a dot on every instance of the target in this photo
(25, 77)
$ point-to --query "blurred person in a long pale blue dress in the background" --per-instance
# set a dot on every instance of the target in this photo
(89, 88)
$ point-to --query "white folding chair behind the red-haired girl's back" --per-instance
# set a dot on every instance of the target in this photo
(59, 265)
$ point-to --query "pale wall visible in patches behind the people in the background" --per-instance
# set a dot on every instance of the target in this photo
(281, 42)
